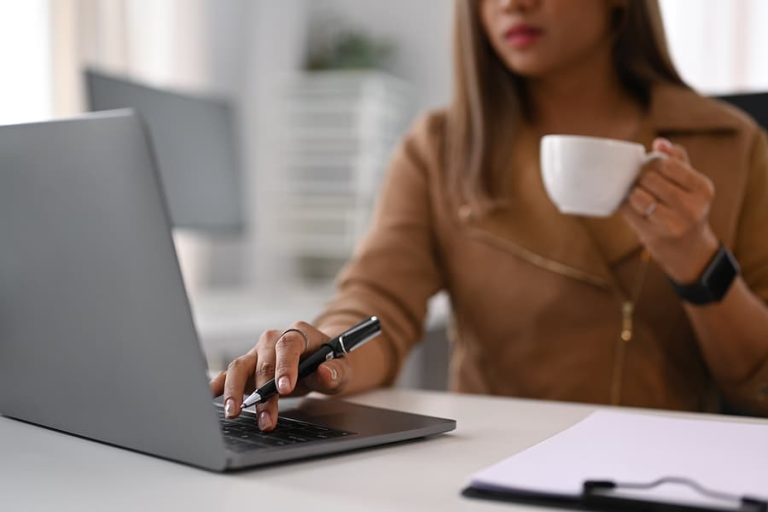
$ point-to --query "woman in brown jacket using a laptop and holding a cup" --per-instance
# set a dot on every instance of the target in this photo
(547, 305)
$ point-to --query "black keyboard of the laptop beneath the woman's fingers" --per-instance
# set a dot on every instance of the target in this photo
(242, 433)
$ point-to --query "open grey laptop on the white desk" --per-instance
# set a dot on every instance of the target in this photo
(96, 334)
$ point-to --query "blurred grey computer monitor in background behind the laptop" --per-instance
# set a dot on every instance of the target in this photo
(195, 144)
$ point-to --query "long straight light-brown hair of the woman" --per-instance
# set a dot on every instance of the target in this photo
(488, 99)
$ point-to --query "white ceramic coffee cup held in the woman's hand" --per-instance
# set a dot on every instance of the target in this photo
(589, 175)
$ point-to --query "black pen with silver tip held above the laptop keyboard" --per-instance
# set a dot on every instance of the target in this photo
(351, 339)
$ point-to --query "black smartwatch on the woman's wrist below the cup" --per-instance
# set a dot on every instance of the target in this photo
(714, 282)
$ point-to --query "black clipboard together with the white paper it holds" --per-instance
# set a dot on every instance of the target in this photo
(626, 461)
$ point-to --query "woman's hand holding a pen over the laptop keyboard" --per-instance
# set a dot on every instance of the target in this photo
(276, 356)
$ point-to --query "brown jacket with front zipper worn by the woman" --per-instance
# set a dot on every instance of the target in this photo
(536, 295)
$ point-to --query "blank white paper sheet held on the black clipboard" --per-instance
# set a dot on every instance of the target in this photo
(722, 456)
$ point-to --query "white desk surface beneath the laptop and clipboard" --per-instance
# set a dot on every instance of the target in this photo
(46, 470)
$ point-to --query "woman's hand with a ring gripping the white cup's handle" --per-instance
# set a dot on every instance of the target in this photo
(668, 208)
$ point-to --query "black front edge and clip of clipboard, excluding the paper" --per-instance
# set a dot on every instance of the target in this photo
(600, 495)
